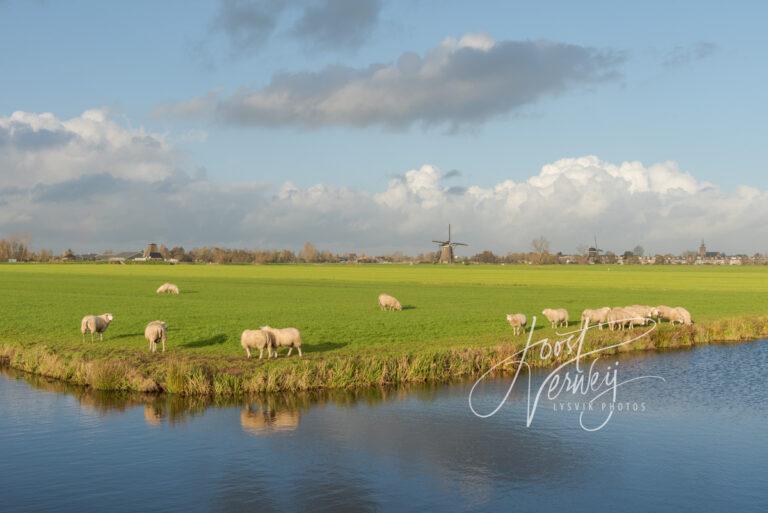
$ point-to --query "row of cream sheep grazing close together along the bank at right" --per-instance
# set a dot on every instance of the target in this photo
(615, 318)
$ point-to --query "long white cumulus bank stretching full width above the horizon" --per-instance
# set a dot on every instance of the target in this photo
(658, 206)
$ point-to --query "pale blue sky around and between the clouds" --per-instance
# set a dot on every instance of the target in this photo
(688, 86)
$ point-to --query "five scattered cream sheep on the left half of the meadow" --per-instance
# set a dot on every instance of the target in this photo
(263, 338)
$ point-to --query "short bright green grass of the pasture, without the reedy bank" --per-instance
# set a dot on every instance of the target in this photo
(335, 306)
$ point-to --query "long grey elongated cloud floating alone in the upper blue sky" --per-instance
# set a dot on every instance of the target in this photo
(460, 82)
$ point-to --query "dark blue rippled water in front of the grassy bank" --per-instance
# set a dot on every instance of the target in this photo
(700, 445)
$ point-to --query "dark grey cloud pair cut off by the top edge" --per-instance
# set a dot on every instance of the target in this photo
(320, 24)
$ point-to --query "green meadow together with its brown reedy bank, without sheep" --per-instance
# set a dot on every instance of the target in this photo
(453, 321)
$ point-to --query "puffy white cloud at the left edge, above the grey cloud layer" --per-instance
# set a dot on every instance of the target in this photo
(43, 149)
